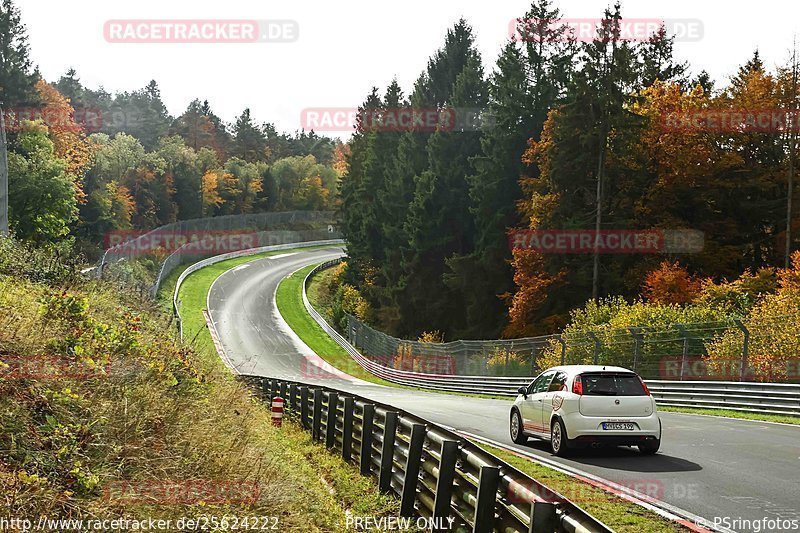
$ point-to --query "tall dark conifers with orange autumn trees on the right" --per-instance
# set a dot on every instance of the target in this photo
(576, 139)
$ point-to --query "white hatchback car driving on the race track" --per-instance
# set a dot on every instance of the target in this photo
(579, 405)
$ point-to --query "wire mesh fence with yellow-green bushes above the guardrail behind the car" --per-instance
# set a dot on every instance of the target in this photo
(722, 351)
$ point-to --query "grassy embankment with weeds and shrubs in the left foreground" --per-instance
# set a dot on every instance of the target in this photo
(121, 400)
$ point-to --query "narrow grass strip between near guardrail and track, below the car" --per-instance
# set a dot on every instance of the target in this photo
(620, 515)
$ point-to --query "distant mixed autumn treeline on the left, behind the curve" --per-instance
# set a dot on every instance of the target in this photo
(83, 162)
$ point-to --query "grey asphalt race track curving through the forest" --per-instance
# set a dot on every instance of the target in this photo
(712, 467)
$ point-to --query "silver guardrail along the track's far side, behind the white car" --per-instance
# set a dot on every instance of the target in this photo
(774, 398)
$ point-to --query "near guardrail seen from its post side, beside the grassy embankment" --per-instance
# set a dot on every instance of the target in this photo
(435, 472)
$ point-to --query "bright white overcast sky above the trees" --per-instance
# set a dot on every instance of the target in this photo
(346, 47)
